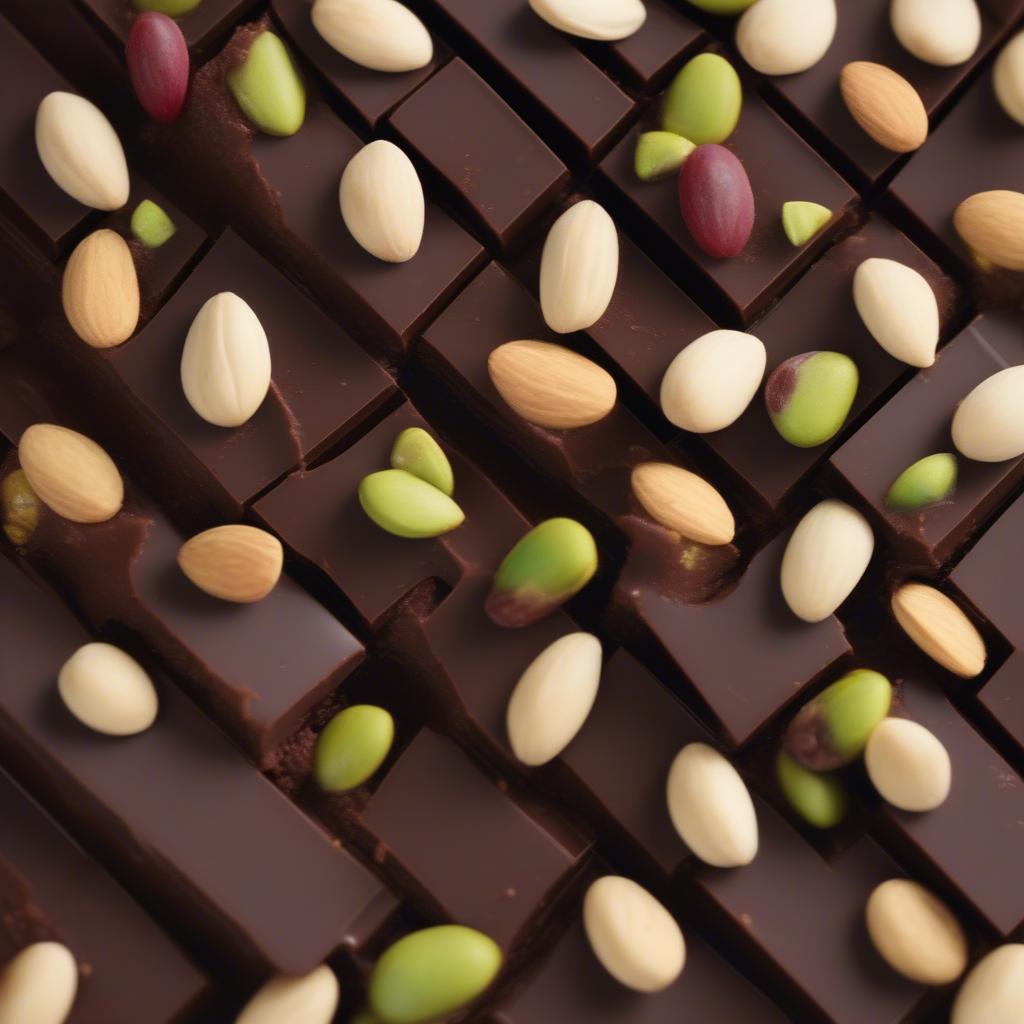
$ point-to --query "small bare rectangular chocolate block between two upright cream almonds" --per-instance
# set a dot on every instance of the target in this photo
(494, 166)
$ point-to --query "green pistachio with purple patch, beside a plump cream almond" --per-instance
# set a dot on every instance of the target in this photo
(809, 397)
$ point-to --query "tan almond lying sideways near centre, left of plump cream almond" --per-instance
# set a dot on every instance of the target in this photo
(550, 386)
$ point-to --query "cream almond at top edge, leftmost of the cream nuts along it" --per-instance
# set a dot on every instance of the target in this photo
(381, 35)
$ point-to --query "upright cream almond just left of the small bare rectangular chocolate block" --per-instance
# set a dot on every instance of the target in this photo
(382, 202)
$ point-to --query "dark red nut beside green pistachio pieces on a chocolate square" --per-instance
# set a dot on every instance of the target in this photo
(716, 201)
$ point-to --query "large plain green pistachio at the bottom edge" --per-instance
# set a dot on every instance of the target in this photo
(433, 973)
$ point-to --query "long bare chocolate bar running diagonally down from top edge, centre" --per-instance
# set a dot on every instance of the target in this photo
(575, 106)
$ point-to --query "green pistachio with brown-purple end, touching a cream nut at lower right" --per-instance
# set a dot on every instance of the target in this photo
(833, 730)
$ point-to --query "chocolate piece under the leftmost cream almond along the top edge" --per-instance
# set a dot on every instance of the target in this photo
(369, 95)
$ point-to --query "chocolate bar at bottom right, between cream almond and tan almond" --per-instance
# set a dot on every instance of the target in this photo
(806, 917)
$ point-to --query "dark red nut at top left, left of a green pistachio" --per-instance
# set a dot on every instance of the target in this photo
(158, 64)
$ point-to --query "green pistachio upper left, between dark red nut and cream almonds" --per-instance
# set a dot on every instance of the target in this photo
(269, 89)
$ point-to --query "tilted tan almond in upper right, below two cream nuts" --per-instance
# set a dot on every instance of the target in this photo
(885, 105)
